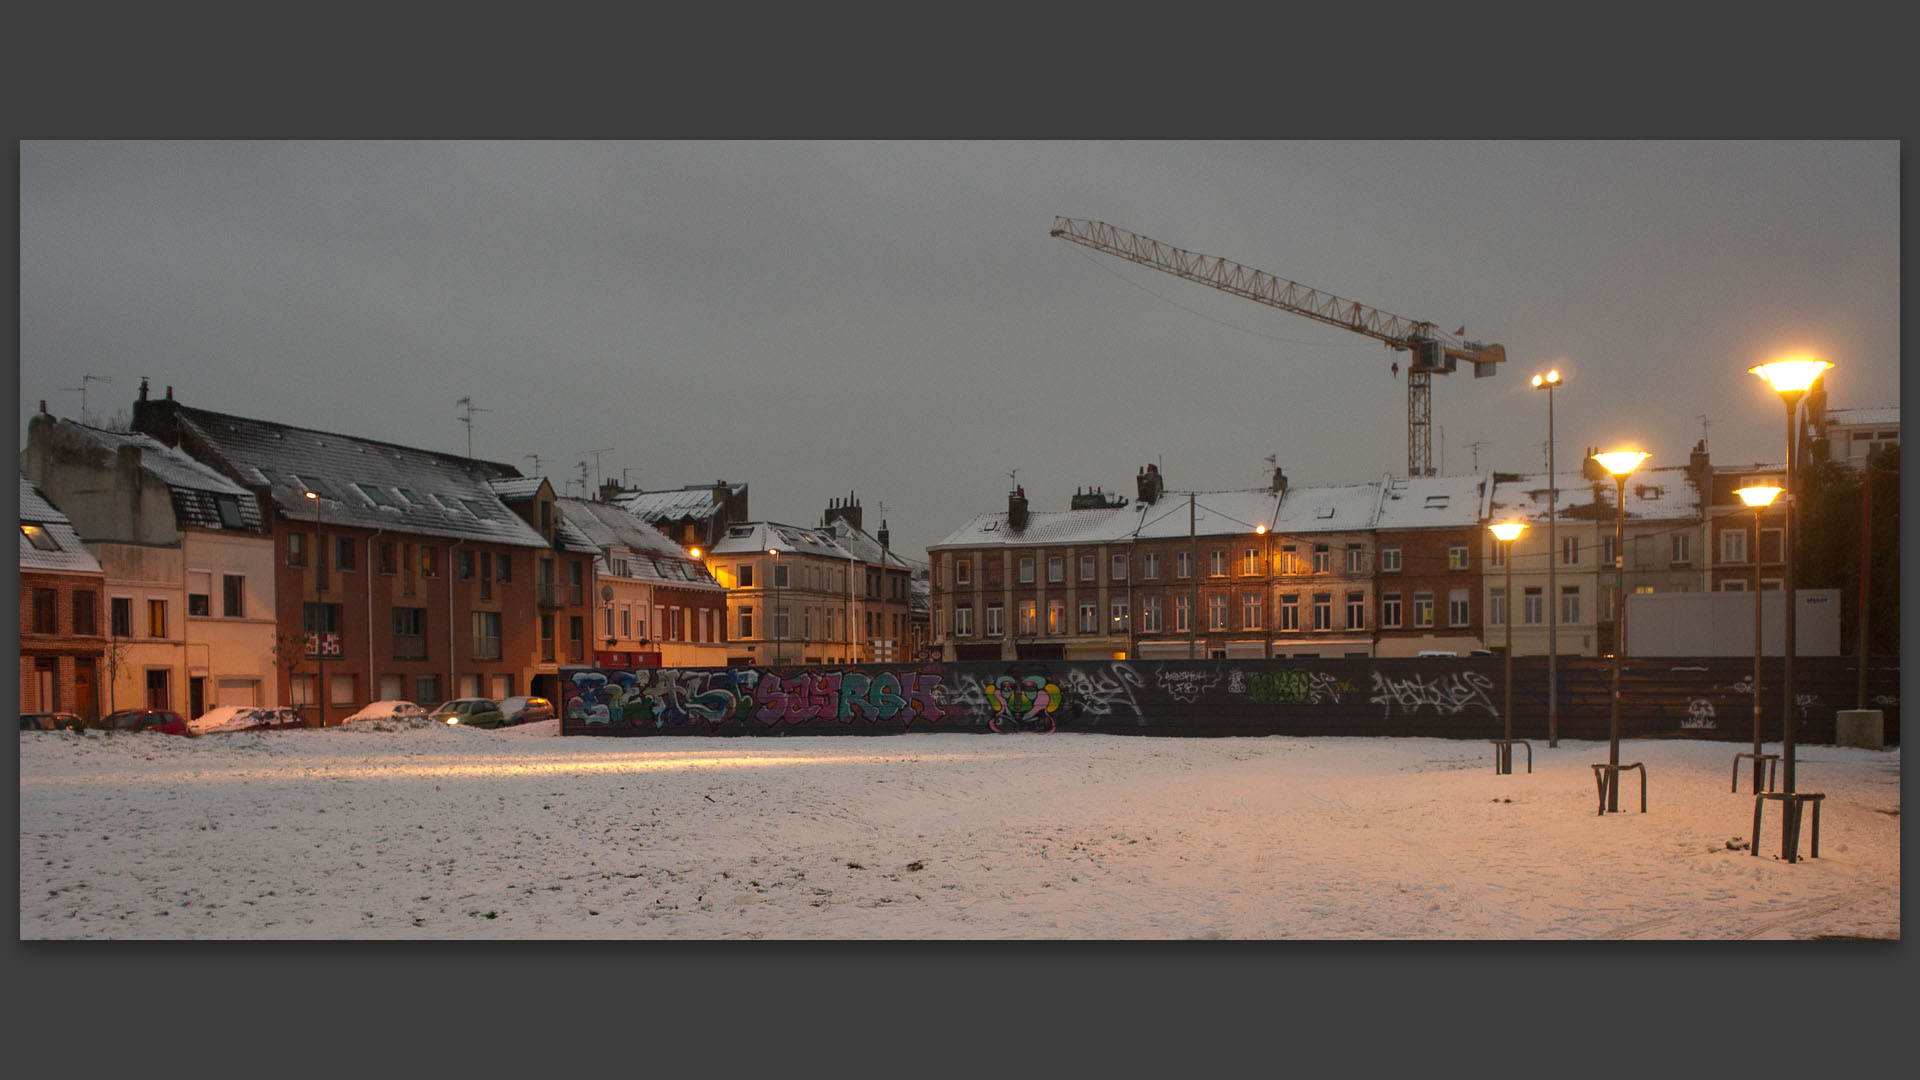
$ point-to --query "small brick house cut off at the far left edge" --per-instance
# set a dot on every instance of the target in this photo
(62, 639)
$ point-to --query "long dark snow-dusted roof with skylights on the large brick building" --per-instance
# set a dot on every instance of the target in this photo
(364, 483)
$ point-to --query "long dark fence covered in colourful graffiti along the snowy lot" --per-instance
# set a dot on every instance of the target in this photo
(1439, 699)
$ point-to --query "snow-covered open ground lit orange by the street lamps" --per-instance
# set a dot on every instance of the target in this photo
(395, 829)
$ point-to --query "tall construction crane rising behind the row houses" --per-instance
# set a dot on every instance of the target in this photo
(1429, 351)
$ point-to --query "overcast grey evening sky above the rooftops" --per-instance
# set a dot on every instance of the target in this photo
(894, 318)
